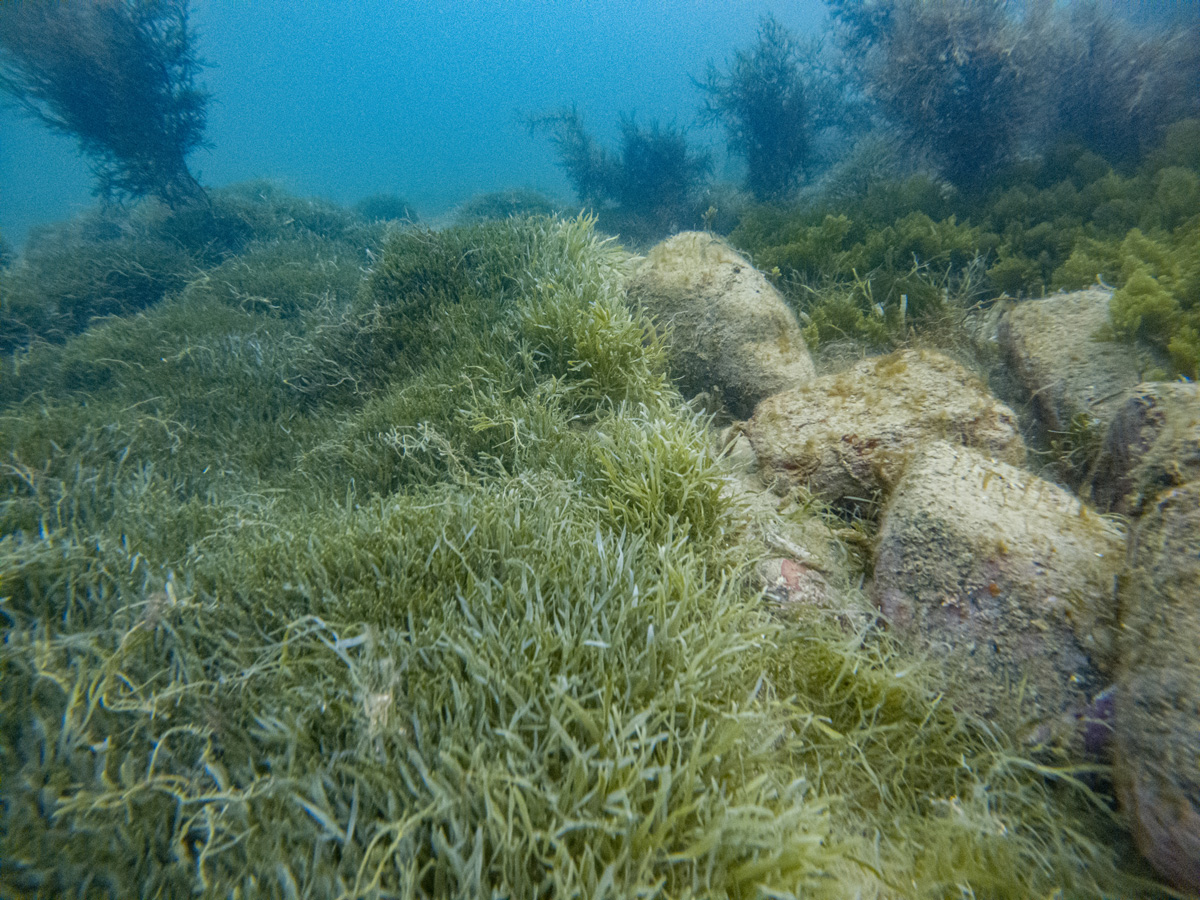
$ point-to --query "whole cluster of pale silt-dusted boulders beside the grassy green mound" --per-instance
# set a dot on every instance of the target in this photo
(1009, 580)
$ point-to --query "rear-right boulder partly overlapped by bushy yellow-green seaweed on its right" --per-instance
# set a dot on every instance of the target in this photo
(1052, 349)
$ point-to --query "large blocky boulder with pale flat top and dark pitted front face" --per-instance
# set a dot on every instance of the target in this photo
(1007, 577)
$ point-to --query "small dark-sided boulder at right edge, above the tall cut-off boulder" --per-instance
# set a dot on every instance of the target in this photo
(1153, 445)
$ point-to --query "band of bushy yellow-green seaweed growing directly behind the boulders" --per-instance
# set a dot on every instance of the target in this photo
(877, 259)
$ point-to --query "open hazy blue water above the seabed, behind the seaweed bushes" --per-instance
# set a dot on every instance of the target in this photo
(417, 98)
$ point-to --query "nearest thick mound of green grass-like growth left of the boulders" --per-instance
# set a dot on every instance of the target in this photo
(434, 591)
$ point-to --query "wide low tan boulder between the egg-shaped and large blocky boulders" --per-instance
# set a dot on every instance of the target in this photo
(849, 436)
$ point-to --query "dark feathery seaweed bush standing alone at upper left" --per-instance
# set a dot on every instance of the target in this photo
(118, 76)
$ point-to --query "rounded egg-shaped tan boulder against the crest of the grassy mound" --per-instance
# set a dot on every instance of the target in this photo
(730, 329)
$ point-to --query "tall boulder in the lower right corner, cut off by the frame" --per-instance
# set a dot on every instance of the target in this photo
(1159, 692)
